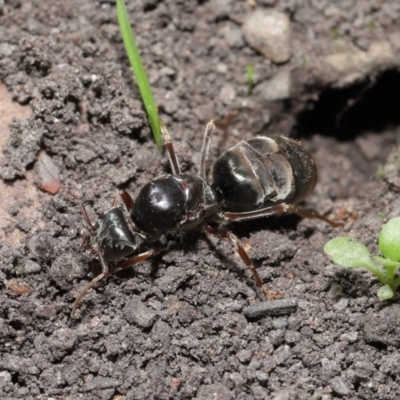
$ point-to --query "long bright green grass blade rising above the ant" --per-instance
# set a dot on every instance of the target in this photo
(139, 71)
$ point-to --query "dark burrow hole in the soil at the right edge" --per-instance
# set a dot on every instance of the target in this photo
(347, 113)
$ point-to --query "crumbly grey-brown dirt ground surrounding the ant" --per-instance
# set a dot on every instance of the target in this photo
(175, 327)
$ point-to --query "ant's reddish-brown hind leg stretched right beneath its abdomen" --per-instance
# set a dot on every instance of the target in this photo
(280, 208)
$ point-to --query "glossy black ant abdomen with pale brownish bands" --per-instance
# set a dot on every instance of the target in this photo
(263, 171)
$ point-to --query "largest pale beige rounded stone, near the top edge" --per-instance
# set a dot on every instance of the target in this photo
(268, 31)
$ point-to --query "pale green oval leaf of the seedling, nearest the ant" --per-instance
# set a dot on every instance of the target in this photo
(348, 252)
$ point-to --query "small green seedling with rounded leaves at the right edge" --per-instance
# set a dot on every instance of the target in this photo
(350, 253)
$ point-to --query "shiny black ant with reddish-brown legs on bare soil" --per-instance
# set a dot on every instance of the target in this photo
(256, 178)
